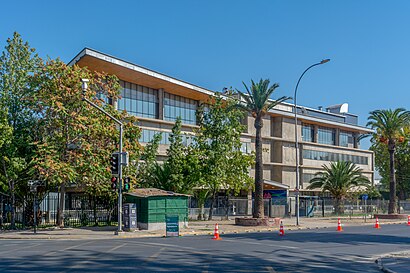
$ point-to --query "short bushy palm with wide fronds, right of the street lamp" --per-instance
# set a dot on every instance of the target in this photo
(339, 178)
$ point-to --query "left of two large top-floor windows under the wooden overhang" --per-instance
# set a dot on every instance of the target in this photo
(138, 100)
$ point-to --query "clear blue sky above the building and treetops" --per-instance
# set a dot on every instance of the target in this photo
(222, 43)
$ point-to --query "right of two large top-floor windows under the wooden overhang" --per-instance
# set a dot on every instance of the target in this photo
(177, 106)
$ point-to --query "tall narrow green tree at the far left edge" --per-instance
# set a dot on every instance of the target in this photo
(18, 64)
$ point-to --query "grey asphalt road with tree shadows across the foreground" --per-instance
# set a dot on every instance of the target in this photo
(323, 250)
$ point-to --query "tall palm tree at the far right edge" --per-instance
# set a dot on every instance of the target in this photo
(389, 126)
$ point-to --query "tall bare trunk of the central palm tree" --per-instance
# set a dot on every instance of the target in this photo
(258, 211)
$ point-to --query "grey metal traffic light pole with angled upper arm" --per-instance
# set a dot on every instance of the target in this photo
(85, 85)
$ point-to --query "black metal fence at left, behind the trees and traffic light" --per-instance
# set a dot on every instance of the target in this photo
(80, 210)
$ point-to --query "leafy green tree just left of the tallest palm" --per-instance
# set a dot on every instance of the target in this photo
(218, 144)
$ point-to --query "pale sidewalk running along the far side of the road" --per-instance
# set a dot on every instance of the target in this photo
(195, 228)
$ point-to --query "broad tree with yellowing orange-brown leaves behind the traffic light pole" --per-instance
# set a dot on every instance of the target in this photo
(77, 140)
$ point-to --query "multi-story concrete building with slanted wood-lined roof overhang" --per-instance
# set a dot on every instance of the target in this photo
(330, 134)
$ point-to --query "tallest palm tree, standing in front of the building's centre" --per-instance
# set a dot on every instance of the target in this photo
(257, 102)
